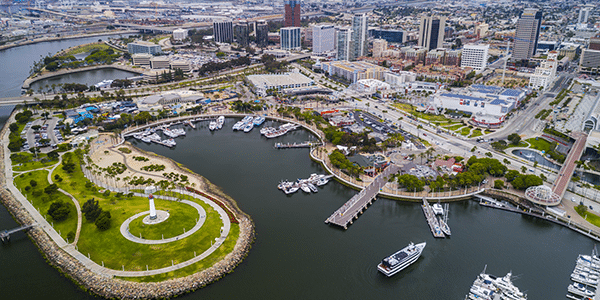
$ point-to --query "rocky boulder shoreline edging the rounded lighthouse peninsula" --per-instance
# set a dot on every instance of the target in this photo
(111, 287)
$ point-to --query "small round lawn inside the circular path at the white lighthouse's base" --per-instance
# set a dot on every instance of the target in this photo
(181, 216)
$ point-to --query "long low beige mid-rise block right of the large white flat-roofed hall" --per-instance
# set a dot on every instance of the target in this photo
(353, 71)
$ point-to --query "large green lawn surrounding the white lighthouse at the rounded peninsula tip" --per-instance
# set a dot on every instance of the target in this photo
(114, 251)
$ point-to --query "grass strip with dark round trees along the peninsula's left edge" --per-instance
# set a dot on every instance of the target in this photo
(42, 201)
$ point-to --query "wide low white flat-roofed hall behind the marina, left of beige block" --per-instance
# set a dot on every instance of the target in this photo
(262, 83)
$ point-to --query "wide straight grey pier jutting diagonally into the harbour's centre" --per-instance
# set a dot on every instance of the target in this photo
(346, 214)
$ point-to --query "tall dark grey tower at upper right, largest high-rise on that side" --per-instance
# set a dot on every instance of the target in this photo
(528, 32)
